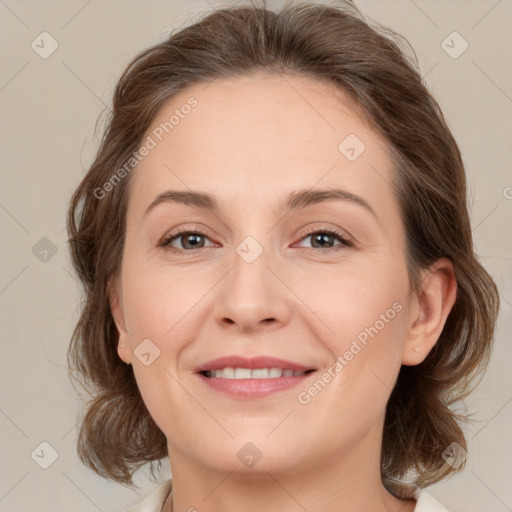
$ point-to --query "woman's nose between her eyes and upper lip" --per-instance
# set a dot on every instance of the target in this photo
(253, 295)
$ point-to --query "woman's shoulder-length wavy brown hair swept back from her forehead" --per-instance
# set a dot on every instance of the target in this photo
(337, 45)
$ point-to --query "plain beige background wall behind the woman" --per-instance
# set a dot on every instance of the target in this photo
(49, 109)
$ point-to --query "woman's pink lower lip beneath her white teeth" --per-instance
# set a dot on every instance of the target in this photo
(253, 388)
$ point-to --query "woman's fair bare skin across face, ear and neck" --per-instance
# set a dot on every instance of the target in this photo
(250, 142)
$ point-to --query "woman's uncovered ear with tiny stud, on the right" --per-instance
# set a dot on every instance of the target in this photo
(430, 309)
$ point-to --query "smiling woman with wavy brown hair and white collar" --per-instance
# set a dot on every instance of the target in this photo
(282, 293)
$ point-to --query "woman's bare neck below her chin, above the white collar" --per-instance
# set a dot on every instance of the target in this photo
(348, 481)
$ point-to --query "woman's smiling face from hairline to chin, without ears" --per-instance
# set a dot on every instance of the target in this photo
(274, 269)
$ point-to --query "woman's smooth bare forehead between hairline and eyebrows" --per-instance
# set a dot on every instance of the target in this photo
(260, 134)
